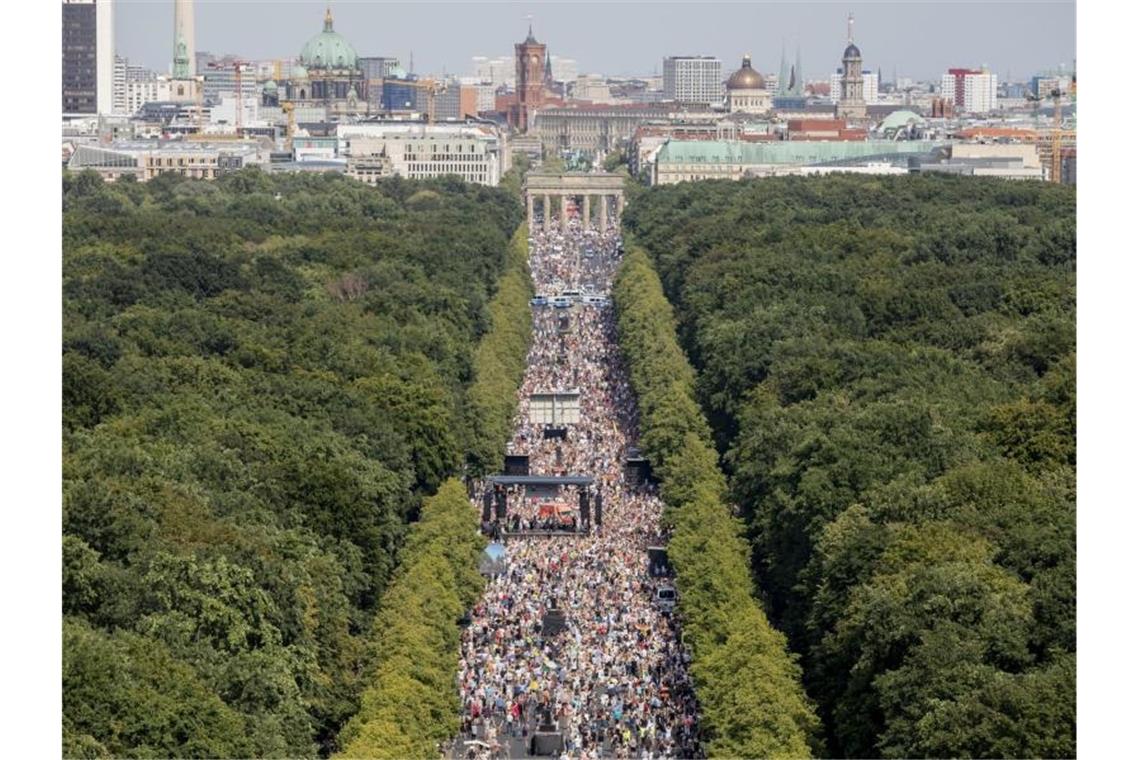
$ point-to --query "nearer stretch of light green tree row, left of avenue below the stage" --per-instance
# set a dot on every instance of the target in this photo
(411, 707)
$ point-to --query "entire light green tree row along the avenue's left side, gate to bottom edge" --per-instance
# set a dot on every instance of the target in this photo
(412, 706)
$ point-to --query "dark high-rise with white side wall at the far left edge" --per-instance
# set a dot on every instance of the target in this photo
(88, 58)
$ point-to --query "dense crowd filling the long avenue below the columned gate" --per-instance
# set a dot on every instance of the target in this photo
(614, 682)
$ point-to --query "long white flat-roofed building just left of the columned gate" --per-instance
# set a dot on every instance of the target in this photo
(474, 152)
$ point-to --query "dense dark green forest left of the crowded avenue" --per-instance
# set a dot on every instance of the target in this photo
(264, 378)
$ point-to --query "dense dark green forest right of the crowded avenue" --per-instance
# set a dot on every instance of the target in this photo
(889, 367)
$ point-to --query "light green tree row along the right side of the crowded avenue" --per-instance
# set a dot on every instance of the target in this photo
(753, 704)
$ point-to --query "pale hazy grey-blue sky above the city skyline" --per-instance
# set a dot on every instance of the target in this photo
(615, 37)
